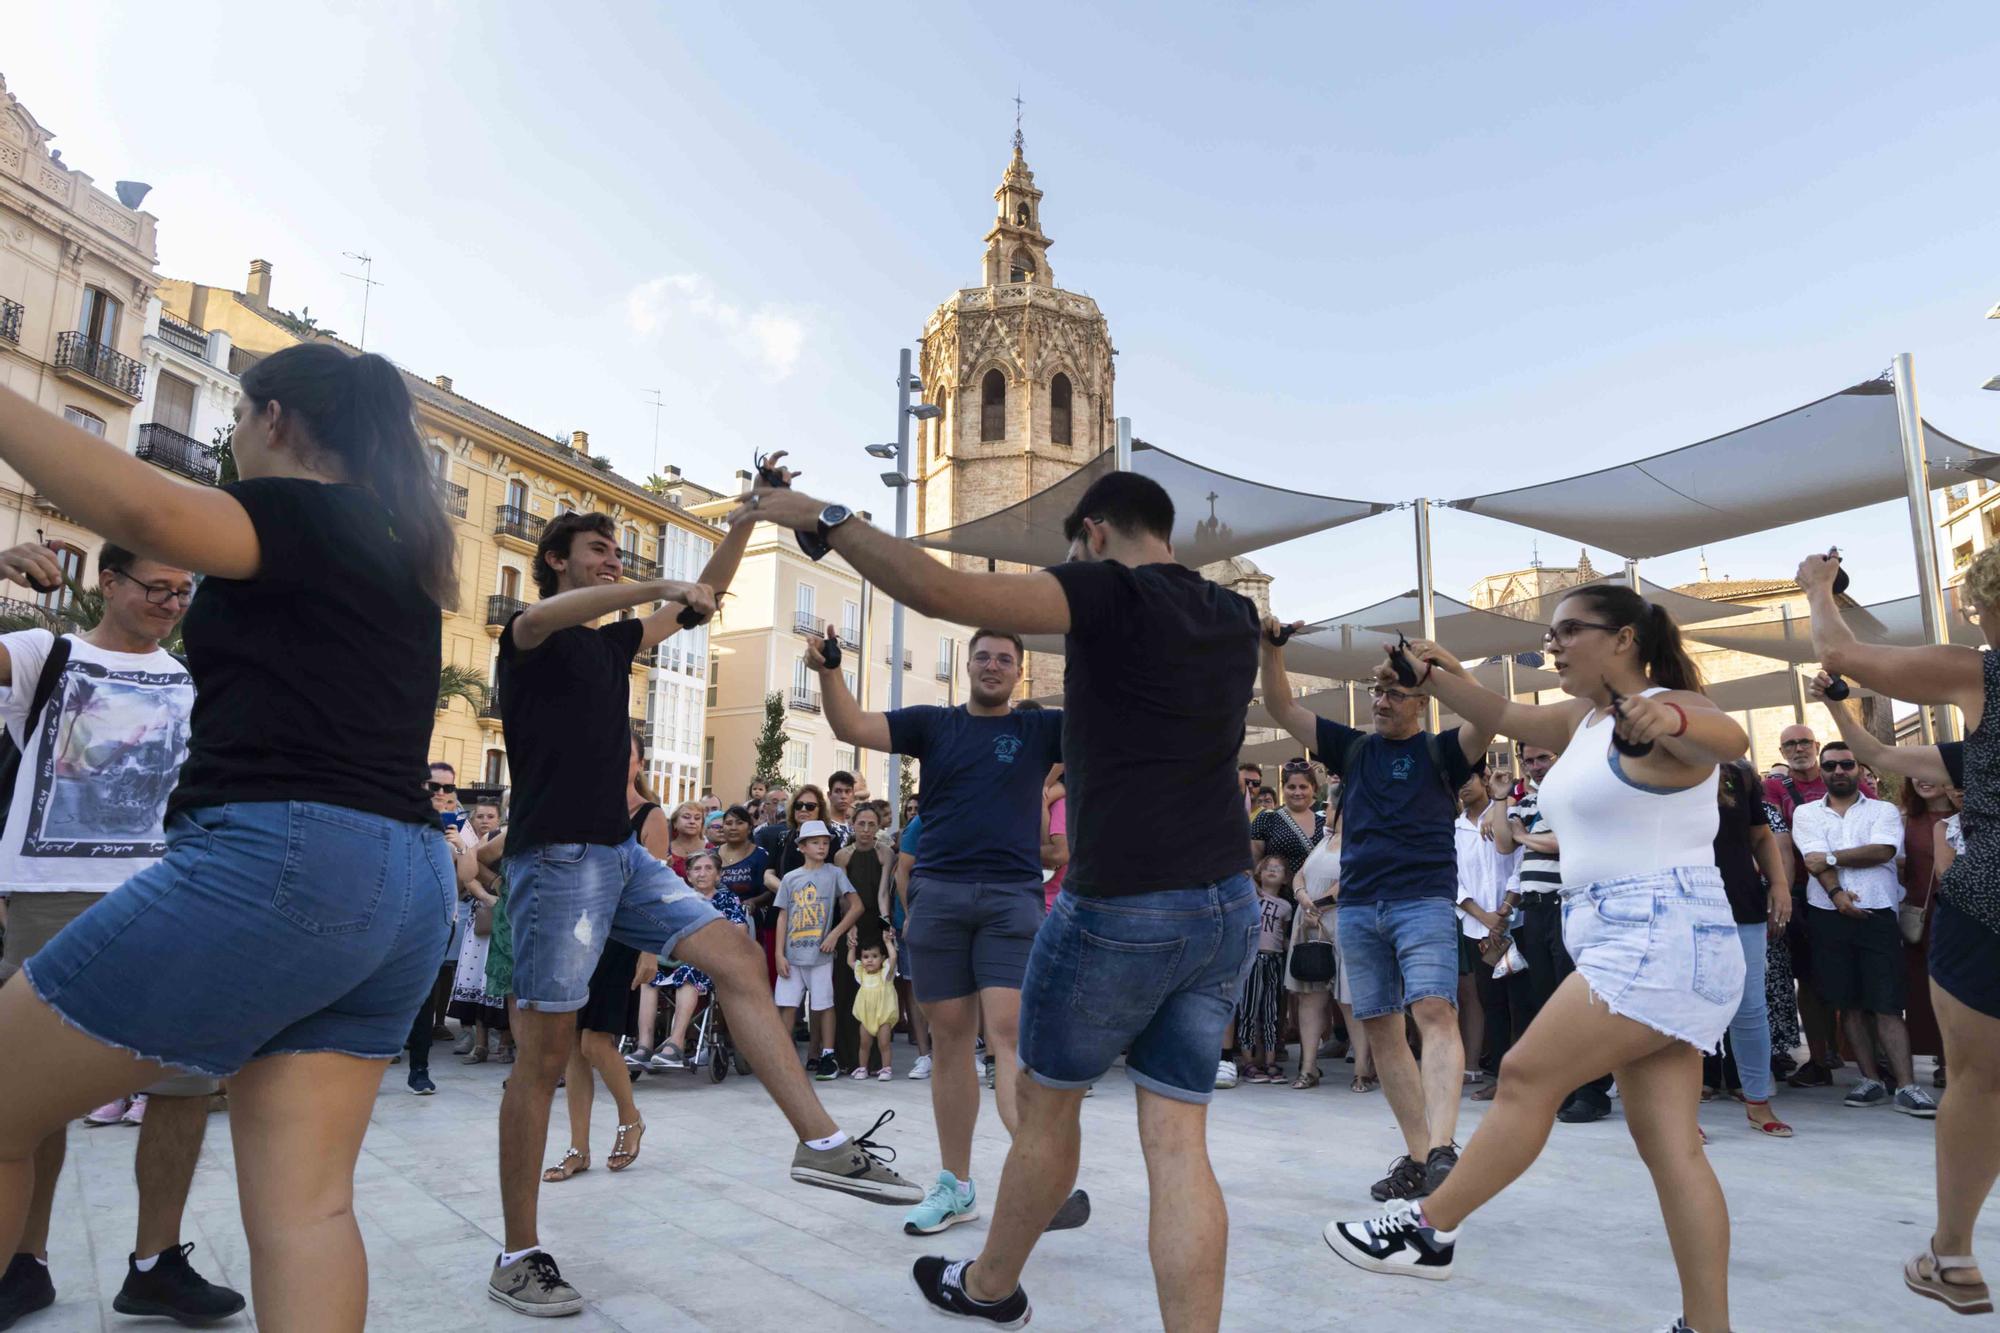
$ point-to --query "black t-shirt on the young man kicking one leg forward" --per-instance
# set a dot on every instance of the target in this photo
(569, 734)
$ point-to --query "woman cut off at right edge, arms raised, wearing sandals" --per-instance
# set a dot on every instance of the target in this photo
(1965, 934)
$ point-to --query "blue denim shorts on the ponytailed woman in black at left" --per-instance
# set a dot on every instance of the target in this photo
(267, 930)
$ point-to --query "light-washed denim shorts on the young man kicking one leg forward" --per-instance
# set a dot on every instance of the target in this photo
(565, 900)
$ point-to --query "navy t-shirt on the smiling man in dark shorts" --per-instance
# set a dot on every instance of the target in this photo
(983, 790)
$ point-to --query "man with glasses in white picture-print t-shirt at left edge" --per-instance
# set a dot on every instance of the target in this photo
(101, 722)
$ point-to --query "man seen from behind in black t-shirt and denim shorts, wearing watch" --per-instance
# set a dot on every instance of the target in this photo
(1149, 944)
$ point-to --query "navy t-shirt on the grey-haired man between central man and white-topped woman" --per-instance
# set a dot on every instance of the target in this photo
(1397, 814)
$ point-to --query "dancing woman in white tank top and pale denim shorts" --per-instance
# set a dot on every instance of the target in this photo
(1659, 972)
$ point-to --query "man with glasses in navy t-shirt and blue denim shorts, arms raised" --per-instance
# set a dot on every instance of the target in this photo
(1399, 896)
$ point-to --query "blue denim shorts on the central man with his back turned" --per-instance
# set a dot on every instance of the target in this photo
(1155, 976)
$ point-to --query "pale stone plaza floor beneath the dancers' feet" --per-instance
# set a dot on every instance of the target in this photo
(707, 1232)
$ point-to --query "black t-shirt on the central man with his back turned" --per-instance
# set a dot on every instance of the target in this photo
(1159, 668)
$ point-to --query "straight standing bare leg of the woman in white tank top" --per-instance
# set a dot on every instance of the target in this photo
(1663, 1094)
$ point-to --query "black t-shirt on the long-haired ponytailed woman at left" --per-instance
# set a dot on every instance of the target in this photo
(319, 678)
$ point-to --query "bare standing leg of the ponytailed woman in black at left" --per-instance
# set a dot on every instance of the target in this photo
(299, 1124)
